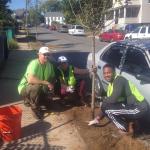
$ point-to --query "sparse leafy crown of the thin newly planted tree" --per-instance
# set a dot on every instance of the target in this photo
(89, 13)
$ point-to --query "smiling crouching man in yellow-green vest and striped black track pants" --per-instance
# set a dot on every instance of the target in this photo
(123, 102)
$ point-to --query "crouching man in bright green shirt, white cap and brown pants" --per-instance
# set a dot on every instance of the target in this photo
(37, 82)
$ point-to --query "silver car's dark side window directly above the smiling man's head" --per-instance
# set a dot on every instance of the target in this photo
(113, 55)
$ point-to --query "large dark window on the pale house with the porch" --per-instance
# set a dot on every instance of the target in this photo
(132, 12)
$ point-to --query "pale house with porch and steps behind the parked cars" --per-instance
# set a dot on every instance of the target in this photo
(127, 11)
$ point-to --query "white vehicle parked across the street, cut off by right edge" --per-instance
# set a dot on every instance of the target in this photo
(141, 32)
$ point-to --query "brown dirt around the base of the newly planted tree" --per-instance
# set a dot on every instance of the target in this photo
(105, 136)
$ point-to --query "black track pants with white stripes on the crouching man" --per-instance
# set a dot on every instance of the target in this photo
(119, 113)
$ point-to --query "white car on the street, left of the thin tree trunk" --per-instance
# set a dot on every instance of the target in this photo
(76, 30)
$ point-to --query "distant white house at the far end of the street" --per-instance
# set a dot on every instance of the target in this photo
(54, 16)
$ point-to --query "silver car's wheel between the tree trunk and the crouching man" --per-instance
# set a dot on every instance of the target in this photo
(98, 87)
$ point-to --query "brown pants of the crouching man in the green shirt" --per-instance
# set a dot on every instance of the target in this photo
(35, 94)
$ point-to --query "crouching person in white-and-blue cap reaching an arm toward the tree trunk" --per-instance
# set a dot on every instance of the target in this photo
(69, 83)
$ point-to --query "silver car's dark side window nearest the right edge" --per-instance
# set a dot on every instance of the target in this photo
(135, 62)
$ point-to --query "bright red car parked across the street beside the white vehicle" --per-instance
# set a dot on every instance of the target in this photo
(112, 35)
